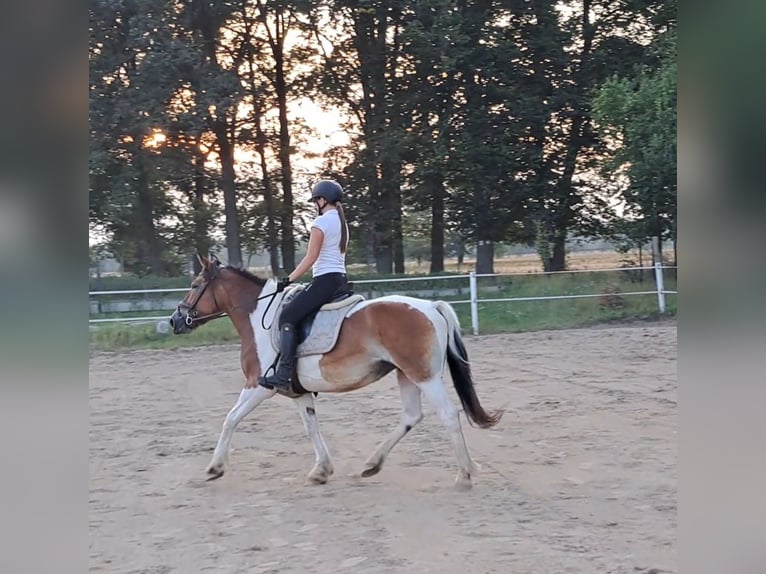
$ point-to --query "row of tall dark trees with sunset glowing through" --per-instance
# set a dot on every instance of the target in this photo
(467, 124)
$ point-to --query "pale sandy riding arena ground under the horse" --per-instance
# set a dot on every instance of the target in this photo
(579, 476)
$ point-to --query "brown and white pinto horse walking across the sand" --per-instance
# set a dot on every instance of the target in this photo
(414, 337)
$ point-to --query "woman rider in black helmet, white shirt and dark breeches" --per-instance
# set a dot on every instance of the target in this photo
(326, 256)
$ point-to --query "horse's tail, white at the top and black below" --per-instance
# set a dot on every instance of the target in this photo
(460, 369)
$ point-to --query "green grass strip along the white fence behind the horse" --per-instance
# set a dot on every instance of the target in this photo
(494, 317)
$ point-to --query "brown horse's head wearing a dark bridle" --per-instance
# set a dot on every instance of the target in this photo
(204, 300)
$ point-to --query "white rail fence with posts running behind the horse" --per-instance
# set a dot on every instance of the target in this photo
(473, 291)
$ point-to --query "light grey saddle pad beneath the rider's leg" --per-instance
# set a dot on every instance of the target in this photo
(318, 332)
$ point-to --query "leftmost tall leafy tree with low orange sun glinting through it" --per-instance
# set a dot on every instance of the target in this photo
(126, 104)
